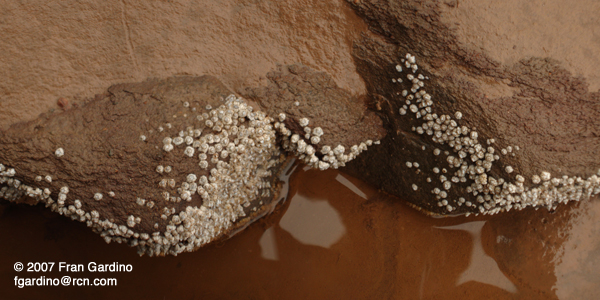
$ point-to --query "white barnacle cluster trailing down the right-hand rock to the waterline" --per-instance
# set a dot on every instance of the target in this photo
(470, 160)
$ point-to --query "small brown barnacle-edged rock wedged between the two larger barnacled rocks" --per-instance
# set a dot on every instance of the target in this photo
(323, 124)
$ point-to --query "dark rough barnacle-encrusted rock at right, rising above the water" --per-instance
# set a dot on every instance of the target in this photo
(468, 133)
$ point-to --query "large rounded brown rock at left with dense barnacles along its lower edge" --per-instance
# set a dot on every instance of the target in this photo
(165, 165)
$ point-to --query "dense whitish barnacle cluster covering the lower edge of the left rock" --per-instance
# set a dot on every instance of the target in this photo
(234, 150)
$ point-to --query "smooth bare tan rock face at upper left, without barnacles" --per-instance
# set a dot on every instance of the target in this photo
(75, 49)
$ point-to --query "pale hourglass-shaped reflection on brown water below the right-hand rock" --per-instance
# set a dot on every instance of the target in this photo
(482, 268)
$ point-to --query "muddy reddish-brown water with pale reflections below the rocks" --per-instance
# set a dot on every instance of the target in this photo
(333, 238)
